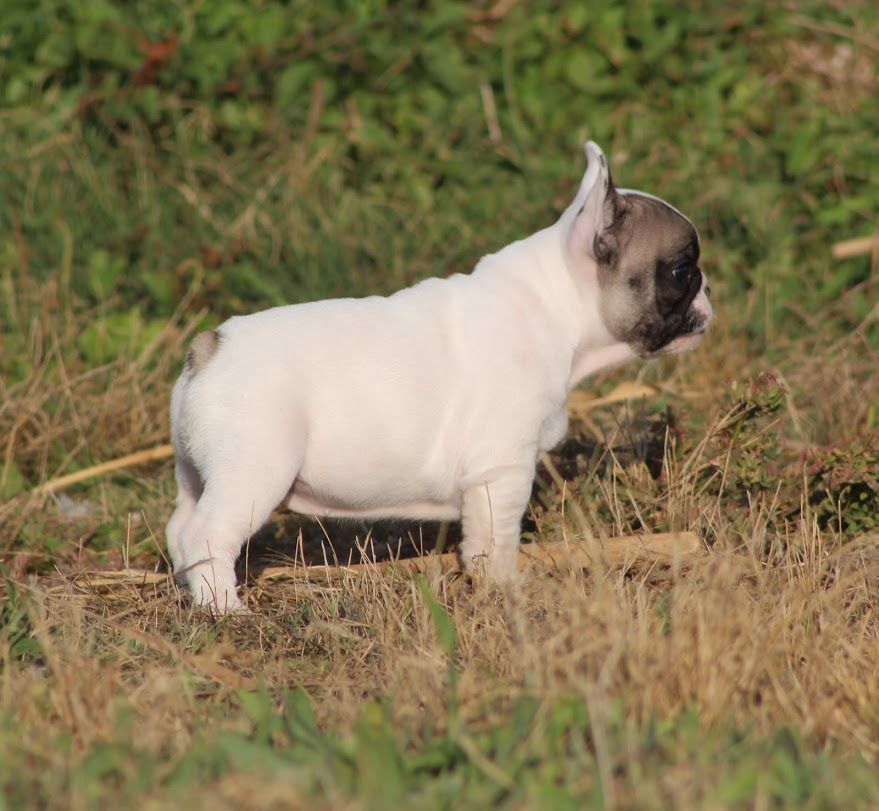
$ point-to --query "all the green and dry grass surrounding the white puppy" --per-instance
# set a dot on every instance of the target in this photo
(271, 156)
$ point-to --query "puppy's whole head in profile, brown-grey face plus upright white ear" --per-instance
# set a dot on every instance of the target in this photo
(652, 293)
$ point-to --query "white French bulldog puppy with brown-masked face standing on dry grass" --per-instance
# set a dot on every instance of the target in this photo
(431, 403)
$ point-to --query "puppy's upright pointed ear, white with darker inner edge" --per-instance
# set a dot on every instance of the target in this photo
(596, 208)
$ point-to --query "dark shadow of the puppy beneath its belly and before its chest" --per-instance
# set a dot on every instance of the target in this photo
(291, 539)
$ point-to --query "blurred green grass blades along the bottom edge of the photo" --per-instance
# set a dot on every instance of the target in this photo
(540, 757)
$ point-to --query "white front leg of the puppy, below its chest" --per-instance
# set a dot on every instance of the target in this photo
(491, 519)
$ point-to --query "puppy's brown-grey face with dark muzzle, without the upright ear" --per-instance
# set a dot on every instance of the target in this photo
(653, 293)
